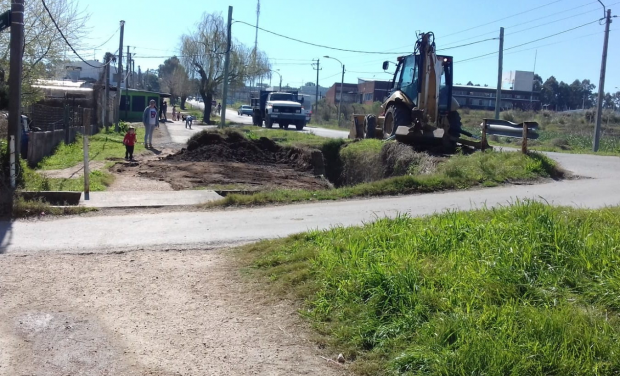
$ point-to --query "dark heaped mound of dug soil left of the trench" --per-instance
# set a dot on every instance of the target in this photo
(234, 147)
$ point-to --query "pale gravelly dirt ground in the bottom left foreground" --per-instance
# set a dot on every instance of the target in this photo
(146, 313)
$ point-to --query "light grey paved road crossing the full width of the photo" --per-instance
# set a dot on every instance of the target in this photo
(598, 188)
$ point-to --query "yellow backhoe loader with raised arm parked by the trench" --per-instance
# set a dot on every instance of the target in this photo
(419, 109)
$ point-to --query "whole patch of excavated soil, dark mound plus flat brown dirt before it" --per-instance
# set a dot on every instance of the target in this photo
(213, 161)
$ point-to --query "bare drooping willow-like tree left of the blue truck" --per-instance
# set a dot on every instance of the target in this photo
(204, 50)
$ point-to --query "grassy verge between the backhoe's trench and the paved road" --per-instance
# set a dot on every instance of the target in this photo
(459, 172)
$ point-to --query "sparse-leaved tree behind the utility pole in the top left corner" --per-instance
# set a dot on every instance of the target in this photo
(44, 48)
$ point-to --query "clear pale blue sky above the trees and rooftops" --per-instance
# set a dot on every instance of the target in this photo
(154, 28)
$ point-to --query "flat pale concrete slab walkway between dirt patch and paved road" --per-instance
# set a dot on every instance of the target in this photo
(129, 199)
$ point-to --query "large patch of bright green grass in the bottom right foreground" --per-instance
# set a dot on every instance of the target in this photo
(523, 290)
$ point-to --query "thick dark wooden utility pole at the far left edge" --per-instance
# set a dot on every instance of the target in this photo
(15, 84)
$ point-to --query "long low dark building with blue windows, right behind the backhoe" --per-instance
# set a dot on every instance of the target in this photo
(483, 98)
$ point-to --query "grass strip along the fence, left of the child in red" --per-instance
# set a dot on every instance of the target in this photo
(102, 146)
